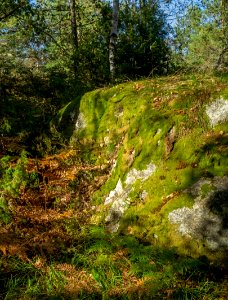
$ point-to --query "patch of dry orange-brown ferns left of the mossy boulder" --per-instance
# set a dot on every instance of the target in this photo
(40, 213)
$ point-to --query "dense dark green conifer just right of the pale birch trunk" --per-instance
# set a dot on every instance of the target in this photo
(141, 49)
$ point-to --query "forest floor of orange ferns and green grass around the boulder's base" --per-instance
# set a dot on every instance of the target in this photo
(50, 250)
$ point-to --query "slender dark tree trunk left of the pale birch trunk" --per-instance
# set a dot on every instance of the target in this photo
(74, 35)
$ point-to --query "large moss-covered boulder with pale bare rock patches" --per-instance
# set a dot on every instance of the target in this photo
(163, 123)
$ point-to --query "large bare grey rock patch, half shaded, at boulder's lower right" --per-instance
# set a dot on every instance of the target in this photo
(208, 218)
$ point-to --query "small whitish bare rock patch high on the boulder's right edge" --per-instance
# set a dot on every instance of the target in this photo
(217, 111)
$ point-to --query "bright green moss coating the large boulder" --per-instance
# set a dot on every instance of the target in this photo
(131, 122)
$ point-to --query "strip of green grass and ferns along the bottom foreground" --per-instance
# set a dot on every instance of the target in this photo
(115, 267)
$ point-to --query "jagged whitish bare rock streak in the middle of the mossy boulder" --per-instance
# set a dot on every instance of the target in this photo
(118, 198)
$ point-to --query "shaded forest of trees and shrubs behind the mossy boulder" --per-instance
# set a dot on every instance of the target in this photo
(52, 51)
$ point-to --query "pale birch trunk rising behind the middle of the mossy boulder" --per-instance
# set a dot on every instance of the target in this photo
(113, 39)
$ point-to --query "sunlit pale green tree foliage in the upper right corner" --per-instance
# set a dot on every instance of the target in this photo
(201, 36)
